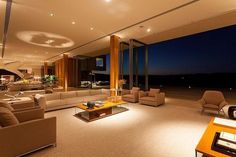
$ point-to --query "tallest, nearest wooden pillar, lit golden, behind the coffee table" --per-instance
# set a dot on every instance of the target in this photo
(114, 64)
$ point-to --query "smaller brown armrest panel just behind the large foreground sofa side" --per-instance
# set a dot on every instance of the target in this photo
(27, 115)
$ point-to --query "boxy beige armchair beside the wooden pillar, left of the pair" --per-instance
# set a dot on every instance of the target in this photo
(131, 95)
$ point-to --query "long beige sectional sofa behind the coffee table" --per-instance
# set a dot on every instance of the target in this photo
(61, 100)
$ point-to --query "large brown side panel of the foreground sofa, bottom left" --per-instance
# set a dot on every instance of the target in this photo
(25, 137)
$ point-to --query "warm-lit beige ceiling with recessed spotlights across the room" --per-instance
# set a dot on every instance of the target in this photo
(40, 31)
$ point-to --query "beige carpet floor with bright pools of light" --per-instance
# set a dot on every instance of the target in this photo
(171, 130)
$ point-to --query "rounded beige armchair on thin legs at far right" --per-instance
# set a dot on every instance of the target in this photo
(213, 100)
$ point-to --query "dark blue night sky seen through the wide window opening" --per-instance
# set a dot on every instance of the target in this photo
(208, 52)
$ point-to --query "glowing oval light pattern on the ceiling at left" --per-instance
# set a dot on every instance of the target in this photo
(45, 39)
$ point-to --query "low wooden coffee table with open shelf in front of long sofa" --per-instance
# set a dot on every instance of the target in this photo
(107, 109)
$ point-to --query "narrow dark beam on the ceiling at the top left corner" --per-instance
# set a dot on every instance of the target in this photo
(6, 25)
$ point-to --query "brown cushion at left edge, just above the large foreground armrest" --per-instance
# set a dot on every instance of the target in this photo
(7, 118)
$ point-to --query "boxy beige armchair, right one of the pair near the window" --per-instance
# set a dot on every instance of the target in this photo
(152, 97)
